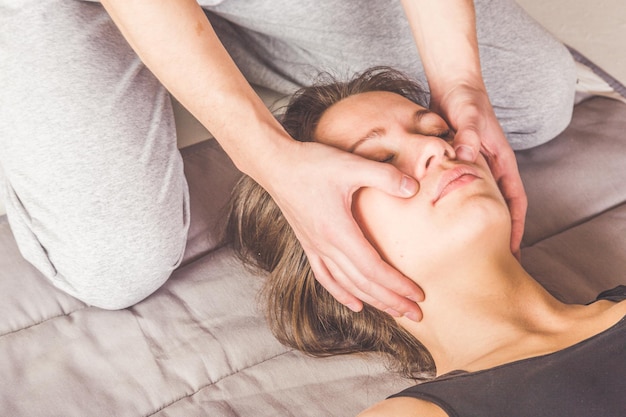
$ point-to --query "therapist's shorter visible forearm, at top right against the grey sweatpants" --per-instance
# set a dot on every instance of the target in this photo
(445, 34)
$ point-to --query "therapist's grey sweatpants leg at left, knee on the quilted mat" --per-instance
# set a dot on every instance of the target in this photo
(94, 185)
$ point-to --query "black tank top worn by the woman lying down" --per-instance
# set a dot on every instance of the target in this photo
(587, 379)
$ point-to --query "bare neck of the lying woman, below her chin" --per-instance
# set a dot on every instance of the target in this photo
(492, 313)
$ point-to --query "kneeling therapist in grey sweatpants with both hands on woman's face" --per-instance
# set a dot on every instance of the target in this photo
(87, 89)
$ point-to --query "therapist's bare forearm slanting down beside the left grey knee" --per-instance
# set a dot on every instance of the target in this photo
(176, 41)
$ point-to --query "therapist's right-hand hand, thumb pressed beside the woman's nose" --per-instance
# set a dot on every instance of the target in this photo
(471, 115)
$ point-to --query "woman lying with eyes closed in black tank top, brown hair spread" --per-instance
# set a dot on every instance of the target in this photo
(492, 341)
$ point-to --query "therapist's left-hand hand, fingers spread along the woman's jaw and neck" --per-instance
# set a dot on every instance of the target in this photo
(313, 185)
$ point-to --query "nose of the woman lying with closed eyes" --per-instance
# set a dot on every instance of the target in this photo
(427, 153)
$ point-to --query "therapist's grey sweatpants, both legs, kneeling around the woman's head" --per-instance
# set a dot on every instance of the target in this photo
(93, 182)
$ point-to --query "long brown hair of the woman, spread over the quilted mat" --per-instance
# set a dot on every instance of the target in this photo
(300, 312)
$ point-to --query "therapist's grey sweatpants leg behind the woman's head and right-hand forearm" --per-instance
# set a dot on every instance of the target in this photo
(530, 76)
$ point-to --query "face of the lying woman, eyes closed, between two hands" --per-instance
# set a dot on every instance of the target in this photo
(458, 206)
